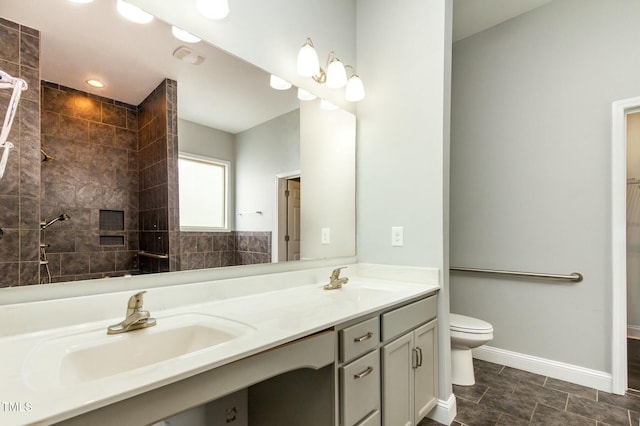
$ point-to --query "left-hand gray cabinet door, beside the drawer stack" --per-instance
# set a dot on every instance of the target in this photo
(398, 382)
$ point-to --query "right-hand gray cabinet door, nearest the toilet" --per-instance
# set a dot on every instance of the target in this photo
(426, 373)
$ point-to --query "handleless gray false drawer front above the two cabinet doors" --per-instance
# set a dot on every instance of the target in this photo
(408, 317)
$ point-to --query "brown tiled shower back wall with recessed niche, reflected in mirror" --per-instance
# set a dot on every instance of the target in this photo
(94, 142)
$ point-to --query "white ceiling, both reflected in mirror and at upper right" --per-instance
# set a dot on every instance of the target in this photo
(81, 41)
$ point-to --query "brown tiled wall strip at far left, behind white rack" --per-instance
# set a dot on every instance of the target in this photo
(20, 185)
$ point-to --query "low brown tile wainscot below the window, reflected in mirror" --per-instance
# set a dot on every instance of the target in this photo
(214, 249)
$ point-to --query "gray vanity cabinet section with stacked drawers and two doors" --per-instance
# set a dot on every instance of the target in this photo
(387, 367)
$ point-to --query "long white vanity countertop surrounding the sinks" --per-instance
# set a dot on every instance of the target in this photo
(273, 317)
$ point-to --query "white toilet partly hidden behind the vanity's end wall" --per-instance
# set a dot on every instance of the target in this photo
(466, 333)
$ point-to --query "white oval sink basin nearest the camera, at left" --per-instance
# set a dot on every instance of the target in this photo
(85, 356)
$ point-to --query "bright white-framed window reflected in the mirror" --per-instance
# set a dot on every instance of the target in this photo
(204, 193)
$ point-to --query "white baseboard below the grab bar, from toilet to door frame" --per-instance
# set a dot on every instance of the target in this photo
(558, 370)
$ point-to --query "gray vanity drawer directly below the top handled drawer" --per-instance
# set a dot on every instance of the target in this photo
(360, 389)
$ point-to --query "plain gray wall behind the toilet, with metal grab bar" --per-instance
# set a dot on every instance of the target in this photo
(530, 173)
